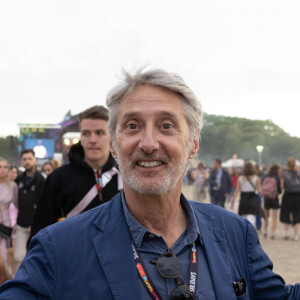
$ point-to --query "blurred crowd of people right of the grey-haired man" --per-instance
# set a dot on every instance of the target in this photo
(268, 194)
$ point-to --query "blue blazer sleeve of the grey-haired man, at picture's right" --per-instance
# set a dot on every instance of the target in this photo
(266, 284)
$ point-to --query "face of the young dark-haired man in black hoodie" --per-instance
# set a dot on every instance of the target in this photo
(95, 141)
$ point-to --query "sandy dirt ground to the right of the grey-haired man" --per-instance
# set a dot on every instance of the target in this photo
(285, 254)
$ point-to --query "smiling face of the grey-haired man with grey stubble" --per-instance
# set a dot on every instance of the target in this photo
(152, 140)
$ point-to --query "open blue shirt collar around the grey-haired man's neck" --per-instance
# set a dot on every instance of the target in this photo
(138, 231)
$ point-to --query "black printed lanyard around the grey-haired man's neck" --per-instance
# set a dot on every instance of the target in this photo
(148, 284)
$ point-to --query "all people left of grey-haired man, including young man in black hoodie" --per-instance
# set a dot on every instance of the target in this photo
(63, 190)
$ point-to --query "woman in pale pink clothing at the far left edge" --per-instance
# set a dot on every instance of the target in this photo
(8, 195)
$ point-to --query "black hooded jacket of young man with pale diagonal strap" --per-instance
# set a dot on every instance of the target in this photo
(67, 185)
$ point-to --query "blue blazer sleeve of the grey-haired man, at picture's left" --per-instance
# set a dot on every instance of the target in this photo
(35, 279)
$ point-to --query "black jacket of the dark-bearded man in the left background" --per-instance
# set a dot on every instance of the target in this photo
(29, 194)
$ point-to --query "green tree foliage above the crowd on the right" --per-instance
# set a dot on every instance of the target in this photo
(223, 136)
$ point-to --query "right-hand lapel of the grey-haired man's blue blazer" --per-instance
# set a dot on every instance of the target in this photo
(217, 255)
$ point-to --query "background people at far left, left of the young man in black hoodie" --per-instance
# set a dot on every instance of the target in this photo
(17, 189)
